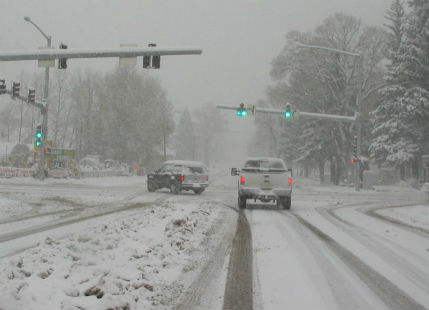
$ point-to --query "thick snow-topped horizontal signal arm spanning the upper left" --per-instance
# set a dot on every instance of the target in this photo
(53, 54)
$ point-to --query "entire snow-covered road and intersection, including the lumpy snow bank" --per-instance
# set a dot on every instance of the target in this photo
(110, 243)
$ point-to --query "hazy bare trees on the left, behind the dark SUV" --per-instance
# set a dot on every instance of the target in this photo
(123, 115)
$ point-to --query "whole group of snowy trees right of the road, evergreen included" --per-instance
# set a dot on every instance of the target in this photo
(395, 105)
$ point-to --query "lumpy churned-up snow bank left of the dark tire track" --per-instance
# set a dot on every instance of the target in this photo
(134, 263)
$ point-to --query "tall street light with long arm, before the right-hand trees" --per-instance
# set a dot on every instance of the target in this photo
(358, 99)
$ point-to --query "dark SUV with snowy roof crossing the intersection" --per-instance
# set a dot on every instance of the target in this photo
(179, 175)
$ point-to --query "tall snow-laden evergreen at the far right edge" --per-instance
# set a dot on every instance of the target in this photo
(401, 119)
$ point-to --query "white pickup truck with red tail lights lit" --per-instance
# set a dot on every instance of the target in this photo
(266, 179)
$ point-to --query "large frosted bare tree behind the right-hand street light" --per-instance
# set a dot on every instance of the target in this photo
(324, 82)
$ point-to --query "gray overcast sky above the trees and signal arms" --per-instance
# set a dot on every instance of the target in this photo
(239, 38)
